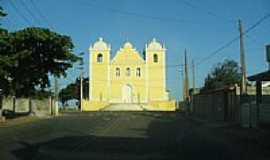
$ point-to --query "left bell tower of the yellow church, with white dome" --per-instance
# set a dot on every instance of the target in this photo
(99, 71)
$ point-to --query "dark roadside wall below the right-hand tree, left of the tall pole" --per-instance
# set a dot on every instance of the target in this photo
(221, 105)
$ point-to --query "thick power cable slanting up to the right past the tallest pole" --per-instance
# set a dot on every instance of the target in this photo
(233, 40)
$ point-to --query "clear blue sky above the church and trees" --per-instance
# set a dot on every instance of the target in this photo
(201, 27)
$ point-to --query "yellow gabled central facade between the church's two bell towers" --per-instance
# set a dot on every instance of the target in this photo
(125, 58)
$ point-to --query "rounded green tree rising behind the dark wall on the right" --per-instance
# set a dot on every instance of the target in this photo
(223, 74)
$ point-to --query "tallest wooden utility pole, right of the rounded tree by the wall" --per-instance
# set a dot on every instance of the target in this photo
(243, 88)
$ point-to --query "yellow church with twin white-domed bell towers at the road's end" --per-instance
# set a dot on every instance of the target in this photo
(128, 78)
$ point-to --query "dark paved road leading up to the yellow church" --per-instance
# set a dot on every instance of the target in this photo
(128, 135)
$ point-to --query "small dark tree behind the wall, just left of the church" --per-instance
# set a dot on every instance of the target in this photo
(72, 91)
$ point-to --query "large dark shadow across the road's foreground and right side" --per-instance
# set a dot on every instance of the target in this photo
(168, 137)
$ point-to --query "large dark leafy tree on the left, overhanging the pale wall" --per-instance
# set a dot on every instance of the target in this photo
(36, 53)
